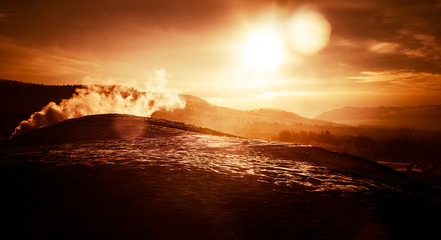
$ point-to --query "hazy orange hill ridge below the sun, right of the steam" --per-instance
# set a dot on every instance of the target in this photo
(259, 123)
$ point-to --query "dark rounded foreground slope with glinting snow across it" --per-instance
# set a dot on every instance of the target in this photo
(125, 177)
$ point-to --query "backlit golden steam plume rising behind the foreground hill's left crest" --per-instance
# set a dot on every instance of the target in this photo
(98, 99)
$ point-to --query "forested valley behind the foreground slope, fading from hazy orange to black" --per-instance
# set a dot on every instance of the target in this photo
(420, 147)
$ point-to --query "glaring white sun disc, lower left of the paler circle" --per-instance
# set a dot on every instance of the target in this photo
(263, 50)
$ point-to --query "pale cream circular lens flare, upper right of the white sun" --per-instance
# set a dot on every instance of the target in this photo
(308, 32)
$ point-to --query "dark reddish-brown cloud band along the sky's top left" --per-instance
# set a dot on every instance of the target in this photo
(80, 19)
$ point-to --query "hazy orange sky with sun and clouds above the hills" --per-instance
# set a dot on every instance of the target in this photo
(242, 54)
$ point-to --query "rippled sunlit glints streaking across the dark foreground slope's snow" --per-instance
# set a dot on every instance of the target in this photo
(272, 163)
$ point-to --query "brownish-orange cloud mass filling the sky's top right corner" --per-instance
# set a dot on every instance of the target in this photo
(385, 35)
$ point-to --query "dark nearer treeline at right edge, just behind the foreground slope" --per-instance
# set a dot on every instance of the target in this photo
(404, 146)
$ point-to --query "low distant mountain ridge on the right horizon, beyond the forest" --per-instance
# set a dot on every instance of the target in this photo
(420, 117)
